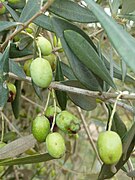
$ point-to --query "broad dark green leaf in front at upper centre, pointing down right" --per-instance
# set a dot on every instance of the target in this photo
(87, 55)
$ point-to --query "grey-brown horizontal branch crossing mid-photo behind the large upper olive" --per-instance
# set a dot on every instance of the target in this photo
(104, 96)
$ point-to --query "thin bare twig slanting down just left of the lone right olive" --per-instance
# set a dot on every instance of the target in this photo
(88, 133)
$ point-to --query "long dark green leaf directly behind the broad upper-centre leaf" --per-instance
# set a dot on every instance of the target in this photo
(82, 73)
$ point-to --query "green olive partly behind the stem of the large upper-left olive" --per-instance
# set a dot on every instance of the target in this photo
(44, 45)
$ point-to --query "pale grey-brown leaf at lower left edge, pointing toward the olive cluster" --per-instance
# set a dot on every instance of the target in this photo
(17, 147)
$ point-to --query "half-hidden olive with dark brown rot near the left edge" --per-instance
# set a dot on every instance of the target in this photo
(12, 92)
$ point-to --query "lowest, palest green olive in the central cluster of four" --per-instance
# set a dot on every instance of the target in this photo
(55, 145)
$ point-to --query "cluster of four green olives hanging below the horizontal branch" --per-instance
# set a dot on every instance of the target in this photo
(41, 129)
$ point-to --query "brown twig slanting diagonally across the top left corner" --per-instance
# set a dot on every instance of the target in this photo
(40, 12)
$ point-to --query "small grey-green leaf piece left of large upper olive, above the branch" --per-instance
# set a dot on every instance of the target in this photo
(16, 69)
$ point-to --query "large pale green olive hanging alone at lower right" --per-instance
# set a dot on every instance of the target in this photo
(109, 147)
